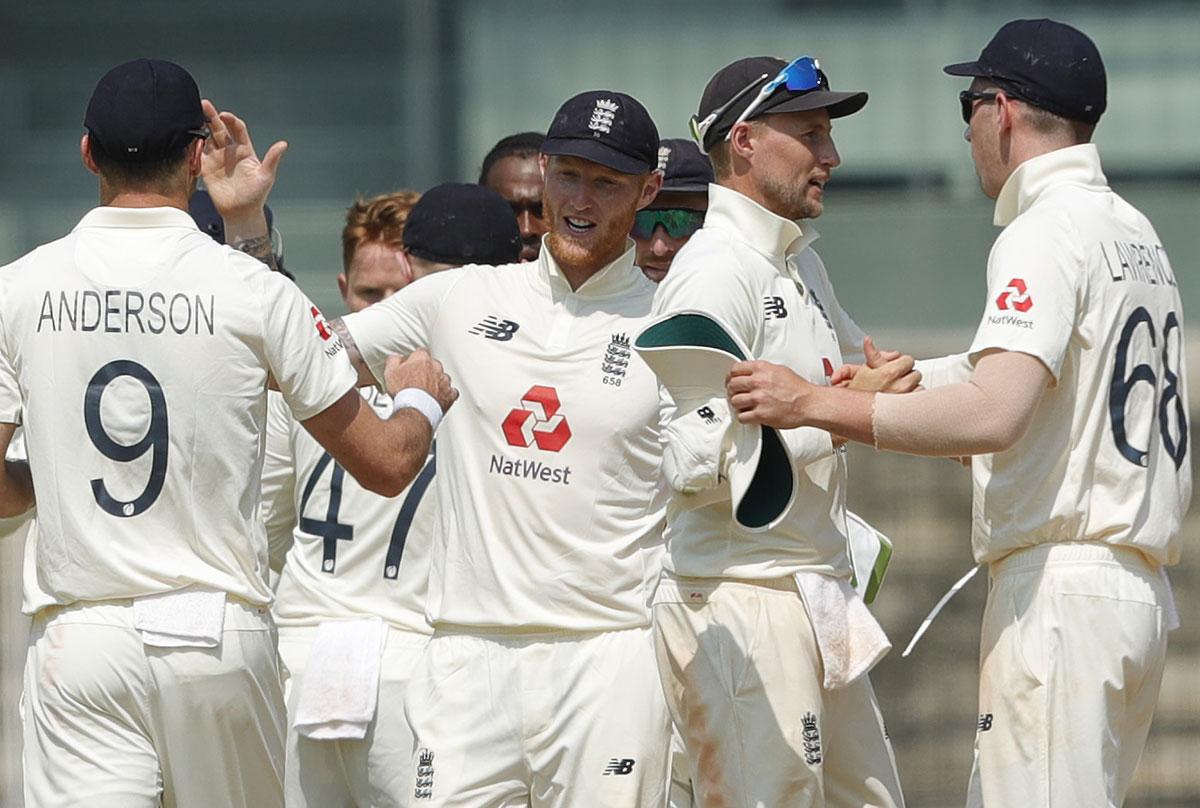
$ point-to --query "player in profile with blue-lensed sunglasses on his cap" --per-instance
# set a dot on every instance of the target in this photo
(757, 624)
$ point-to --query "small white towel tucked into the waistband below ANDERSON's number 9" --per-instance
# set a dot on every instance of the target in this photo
(193, 618)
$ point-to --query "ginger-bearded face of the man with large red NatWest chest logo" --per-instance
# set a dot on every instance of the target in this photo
(590, 210)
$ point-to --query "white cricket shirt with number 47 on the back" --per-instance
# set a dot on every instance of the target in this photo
(352, 552)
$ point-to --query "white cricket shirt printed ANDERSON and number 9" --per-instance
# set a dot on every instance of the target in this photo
(135, 352)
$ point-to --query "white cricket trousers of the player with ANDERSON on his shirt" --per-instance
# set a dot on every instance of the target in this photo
(113, 723)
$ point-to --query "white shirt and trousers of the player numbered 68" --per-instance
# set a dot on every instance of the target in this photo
(1079, 518)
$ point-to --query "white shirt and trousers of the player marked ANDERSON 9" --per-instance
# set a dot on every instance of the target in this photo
(135, 352)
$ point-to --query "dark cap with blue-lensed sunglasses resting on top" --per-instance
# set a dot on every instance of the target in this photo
(765, 86)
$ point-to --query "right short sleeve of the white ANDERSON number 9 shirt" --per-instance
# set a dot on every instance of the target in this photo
(305, 356)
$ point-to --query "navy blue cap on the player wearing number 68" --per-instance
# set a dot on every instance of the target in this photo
(1048, 64)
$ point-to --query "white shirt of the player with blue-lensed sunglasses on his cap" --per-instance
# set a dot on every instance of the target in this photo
(757, 273)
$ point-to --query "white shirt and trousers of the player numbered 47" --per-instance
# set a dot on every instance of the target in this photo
(353, 556)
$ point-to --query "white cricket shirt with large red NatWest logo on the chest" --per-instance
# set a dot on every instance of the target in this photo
(548, 481)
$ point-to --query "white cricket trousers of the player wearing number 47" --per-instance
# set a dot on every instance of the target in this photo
(375, 773)
